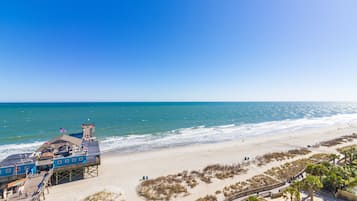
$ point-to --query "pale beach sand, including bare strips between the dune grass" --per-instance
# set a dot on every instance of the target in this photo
(122, 172)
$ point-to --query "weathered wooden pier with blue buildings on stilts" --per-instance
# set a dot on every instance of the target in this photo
(67, 158)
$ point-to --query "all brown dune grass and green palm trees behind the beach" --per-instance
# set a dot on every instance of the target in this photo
(320, 174)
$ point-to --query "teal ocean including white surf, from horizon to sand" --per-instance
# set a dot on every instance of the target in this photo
(136, 126)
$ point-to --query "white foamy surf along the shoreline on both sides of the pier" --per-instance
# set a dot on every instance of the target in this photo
(201, 134)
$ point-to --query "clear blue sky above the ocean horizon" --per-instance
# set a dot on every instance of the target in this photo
(172, 50)
